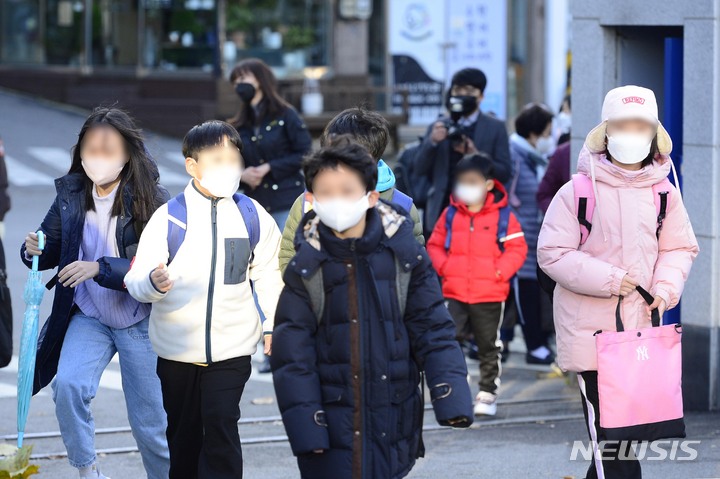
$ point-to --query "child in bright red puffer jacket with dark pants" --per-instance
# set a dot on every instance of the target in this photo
(476, 247)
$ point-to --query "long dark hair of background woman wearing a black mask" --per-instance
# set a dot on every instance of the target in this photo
(271, 106)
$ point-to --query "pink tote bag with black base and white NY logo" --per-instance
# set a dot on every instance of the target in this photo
(639, 380)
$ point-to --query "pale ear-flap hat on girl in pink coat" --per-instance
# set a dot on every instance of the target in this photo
(629, 103)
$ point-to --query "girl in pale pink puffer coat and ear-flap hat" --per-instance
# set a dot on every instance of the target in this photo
(624, 156)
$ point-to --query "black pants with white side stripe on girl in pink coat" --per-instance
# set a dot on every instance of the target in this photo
(611, 466)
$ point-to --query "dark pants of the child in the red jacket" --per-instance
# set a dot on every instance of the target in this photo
(483, 319)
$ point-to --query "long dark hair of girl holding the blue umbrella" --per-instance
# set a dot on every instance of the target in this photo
(140, 172)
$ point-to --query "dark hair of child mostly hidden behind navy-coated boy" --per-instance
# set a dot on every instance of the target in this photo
(369, 128)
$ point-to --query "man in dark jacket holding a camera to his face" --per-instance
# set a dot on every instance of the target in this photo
(468, 130)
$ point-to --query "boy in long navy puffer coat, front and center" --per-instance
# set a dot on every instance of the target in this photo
(360, 316)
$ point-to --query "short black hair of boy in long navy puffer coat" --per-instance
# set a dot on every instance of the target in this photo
(341, 150)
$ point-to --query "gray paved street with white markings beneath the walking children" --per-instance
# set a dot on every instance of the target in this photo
(531, 437)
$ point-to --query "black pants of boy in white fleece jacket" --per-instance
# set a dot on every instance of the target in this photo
(203, 408)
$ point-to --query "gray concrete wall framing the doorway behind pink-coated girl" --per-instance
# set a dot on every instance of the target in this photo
(597, 67)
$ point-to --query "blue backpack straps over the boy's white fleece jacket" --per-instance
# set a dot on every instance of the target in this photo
(177, 222)
